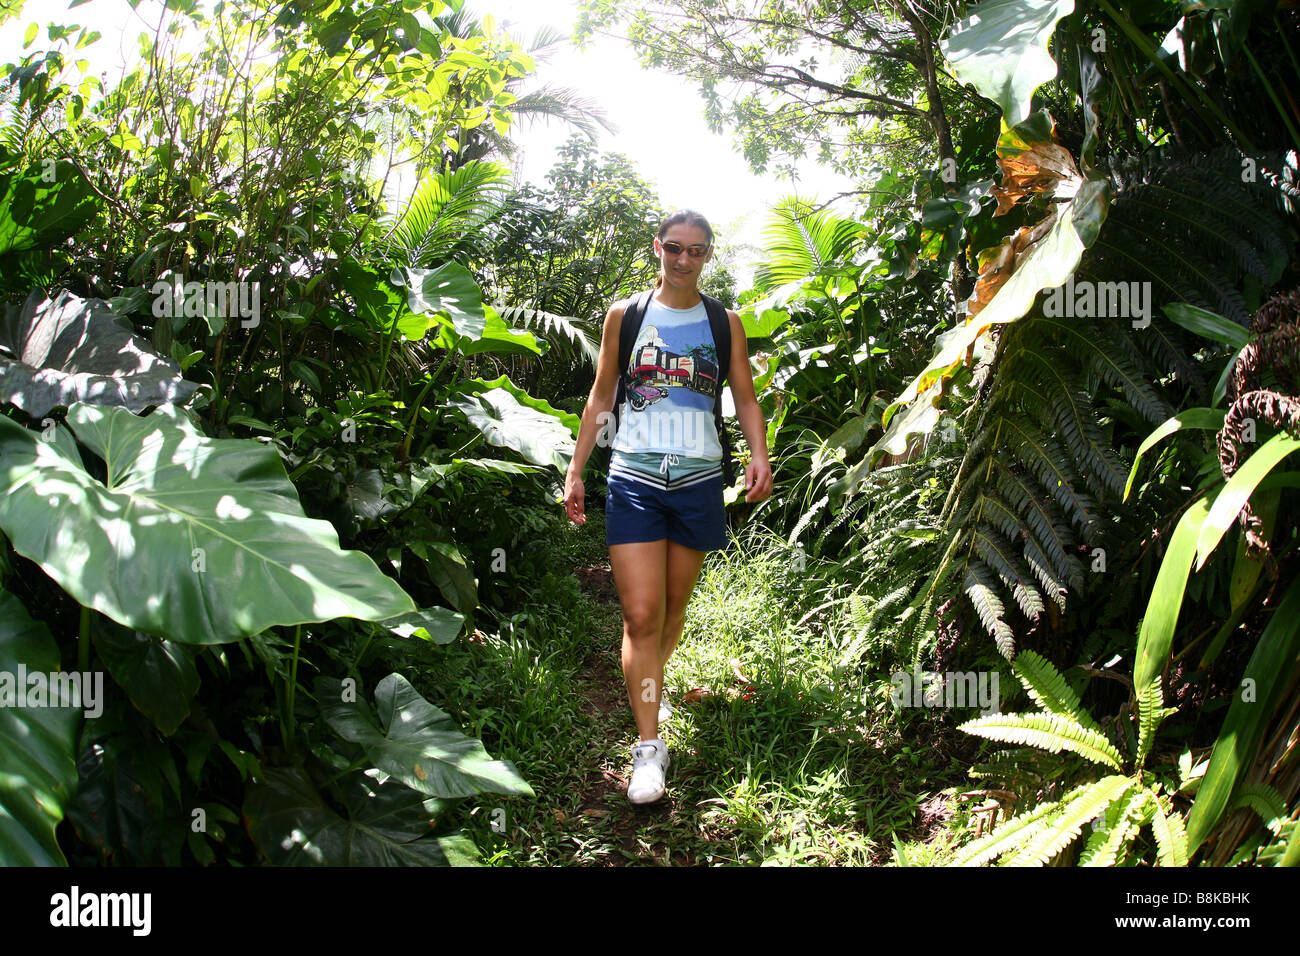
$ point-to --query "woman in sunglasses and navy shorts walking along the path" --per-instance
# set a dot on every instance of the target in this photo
(665, 505)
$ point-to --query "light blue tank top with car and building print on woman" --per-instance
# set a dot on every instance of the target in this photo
(673, 375)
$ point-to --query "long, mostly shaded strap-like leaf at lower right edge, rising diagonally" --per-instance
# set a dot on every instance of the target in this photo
(1268, 672)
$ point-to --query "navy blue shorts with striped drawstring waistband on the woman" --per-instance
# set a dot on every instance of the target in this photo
(648, 508)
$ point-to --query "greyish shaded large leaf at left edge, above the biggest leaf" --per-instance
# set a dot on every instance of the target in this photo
(63, 351)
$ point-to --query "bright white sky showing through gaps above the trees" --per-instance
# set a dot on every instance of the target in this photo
(660, 118)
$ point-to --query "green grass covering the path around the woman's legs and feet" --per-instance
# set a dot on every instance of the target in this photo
(804, 763)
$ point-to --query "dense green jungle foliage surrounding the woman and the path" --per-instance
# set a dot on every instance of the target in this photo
(289, 370)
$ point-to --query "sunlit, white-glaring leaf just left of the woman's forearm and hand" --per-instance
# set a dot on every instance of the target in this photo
(510, 418)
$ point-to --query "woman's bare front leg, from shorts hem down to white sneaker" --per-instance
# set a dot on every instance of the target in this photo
(640, 576)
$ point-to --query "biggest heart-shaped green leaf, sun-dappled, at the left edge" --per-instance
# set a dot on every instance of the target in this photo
(187, 538)
